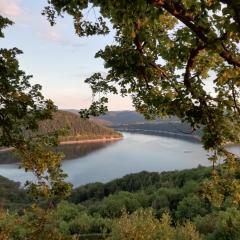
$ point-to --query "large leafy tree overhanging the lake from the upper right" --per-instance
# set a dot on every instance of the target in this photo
(163, 54)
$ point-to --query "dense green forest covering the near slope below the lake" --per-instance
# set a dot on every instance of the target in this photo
(144, 205)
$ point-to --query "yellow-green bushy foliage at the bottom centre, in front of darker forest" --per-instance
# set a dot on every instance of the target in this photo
(143, 225)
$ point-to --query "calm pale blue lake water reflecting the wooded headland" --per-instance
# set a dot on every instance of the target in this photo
(136, 152)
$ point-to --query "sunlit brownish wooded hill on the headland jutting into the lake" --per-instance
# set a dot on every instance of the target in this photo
(78, 129)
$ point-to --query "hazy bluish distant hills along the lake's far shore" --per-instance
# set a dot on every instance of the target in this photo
(131, 121)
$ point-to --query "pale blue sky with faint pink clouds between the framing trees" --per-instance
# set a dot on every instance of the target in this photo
(55, 56)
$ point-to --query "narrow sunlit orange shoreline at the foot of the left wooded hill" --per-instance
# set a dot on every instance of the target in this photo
(112, 139)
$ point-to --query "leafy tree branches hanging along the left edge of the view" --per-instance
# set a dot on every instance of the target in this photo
(22, 107)
